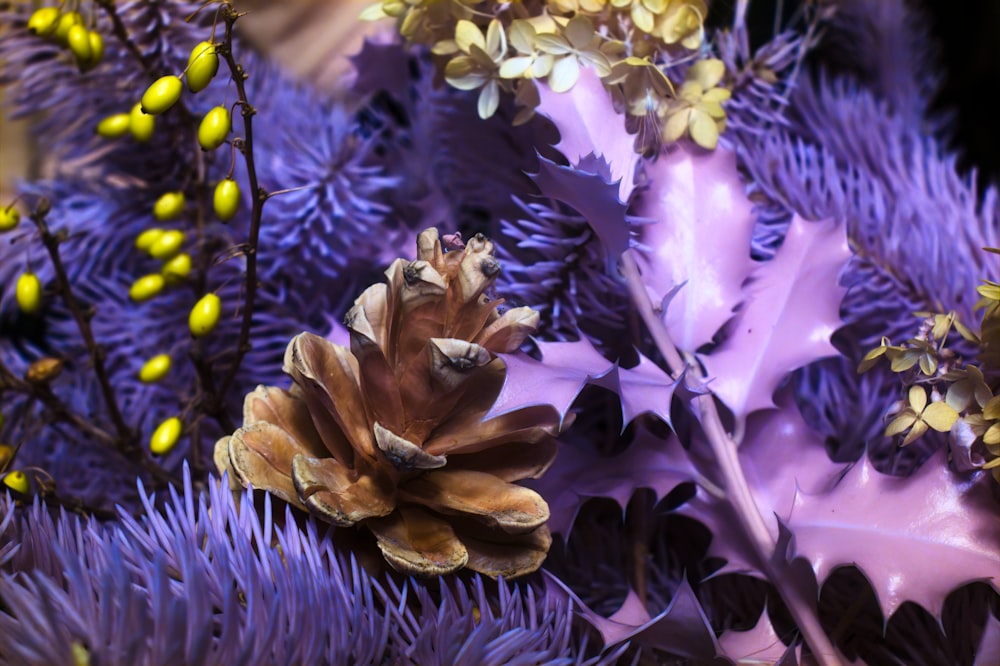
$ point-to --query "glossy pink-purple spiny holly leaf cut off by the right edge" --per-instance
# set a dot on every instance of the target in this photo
(915, 539)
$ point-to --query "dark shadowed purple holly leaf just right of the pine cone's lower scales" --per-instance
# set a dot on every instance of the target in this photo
(578, 475)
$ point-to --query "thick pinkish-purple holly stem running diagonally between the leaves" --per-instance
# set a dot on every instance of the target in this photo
(738, 490)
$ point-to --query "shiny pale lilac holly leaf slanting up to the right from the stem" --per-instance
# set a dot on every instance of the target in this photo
(792, 309)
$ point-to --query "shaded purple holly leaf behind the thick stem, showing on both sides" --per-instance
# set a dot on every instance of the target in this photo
(781, 457)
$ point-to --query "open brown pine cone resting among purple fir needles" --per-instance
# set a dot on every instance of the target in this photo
(389, 434)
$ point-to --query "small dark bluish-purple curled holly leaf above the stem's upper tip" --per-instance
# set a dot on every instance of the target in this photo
(591, 196)
